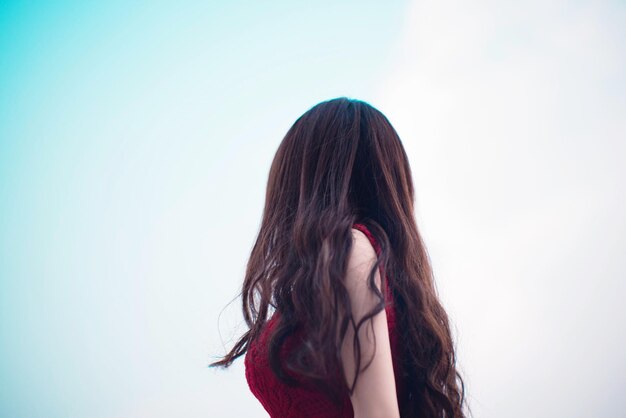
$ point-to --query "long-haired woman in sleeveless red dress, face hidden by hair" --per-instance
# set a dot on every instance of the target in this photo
(338, 295)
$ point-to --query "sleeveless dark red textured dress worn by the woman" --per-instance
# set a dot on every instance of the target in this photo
(282, 401)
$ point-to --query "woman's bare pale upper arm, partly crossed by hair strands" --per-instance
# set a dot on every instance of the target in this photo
(375, 390)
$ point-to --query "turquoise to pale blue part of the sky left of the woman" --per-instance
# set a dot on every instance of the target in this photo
(119, 121)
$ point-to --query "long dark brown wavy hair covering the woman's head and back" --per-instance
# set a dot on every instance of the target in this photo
(342, 163)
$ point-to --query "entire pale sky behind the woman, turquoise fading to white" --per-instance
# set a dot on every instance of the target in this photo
(135, 143)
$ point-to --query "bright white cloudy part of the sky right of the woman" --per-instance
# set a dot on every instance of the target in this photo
(513, 118)
